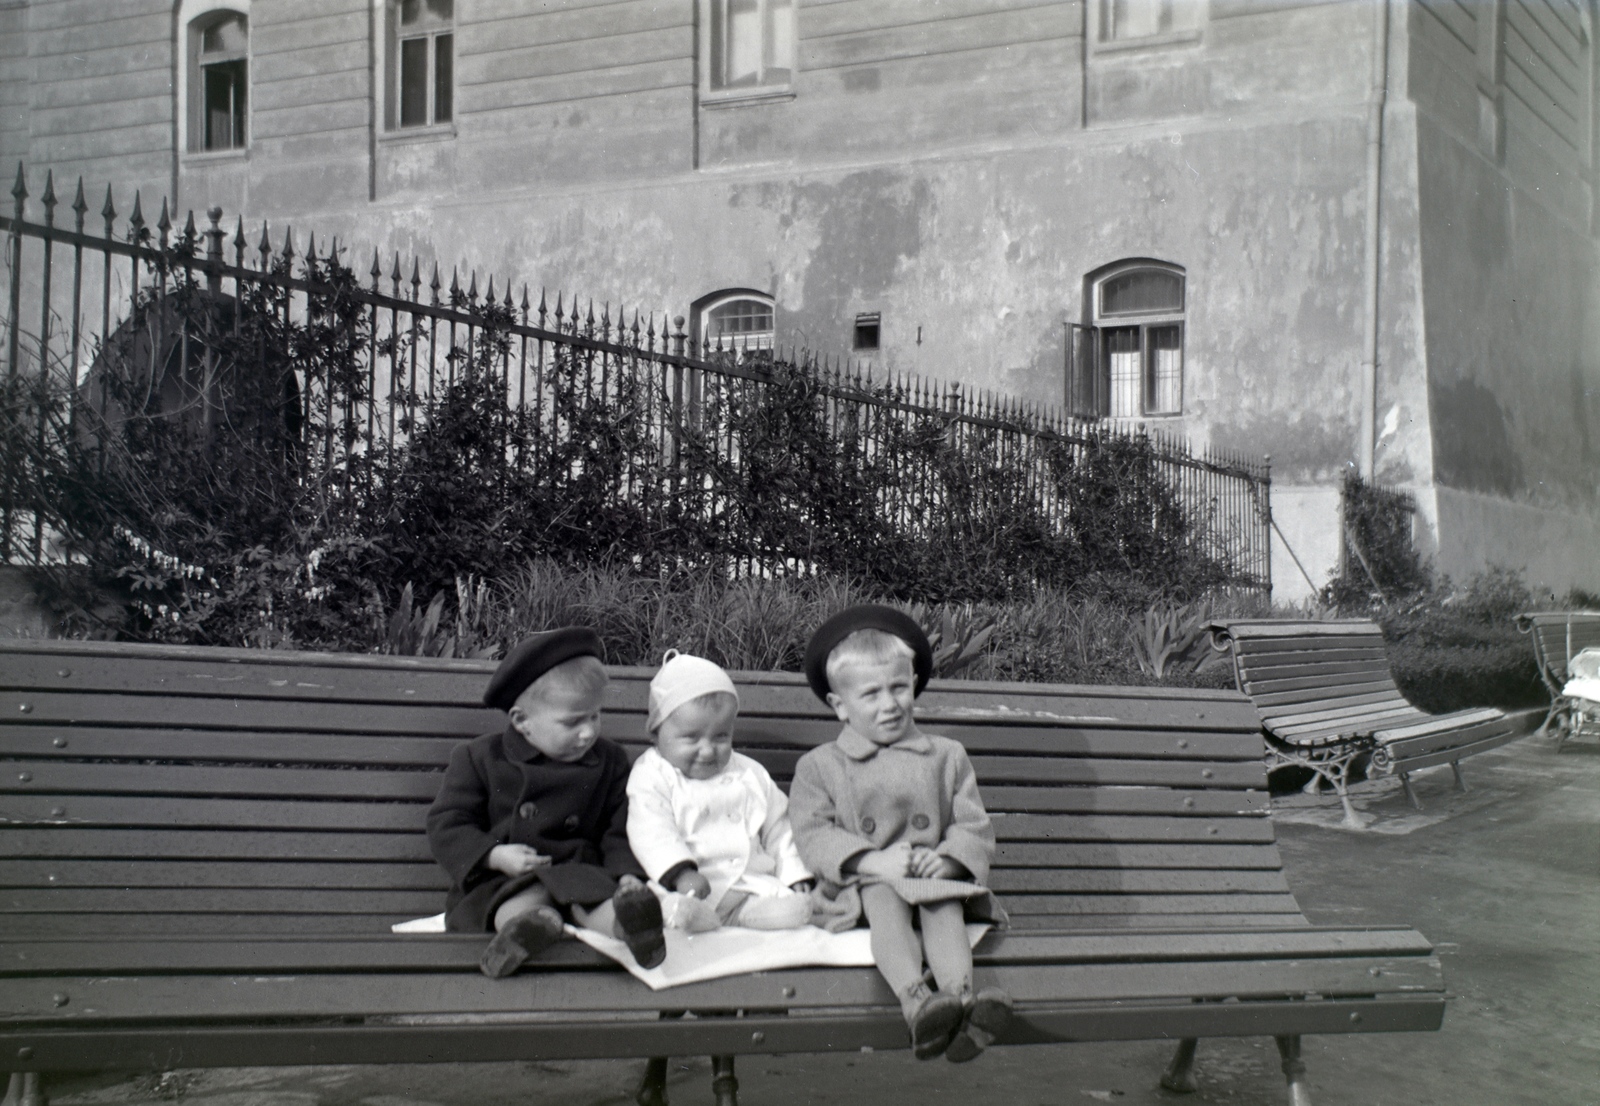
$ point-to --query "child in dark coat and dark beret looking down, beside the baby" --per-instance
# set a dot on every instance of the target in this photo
(532, 822)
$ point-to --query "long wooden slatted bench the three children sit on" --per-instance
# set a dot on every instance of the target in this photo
(202, 854)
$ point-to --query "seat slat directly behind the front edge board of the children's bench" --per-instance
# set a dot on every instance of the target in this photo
(332, 996)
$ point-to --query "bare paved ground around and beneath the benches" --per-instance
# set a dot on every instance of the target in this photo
(1505, 881)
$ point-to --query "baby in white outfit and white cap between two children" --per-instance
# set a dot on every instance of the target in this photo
(708, 822)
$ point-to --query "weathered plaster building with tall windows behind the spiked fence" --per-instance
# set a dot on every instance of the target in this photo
(1350, 234)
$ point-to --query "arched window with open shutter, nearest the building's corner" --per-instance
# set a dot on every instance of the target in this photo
(1129, 361)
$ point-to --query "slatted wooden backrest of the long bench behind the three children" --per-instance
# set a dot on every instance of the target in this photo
(153, 790)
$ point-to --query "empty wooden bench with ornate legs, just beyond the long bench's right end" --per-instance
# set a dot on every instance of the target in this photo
(1330, 703)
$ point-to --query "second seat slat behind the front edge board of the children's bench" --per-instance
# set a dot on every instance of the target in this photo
(450, 952)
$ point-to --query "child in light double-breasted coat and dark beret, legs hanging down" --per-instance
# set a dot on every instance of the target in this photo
(894, 817)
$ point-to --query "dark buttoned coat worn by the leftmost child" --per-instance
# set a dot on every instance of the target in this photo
(502, 791)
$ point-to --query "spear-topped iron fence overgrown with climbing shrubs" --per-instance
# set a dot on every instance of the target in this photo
(455, 430)
